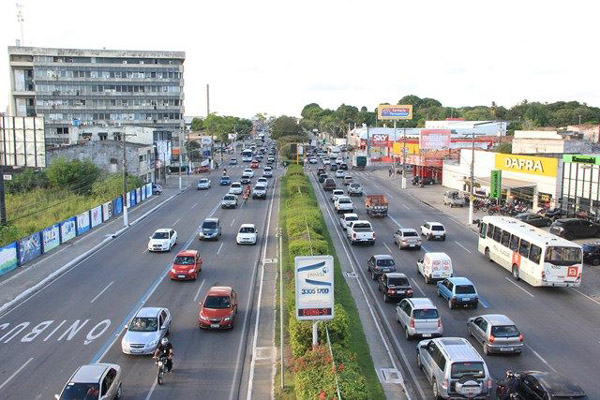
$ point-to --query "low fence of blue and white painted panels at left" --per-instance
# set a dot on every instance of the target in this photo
(25, 250)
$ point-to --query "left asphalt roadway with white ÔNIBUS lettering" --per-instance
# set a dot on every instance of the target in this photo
(80, 317)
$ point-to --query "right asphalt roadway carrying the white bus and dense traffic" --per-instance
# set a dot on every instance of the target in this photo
(560, 326)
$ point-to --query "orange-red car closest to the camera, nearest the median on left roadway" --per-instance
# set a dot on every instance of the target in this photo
(218, 308)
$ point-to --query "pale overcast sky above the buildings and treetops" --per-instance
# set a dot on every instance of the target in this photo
(276, 56)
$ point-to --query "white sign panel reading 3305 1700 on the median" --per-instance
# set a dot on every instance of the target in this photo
(314, 287)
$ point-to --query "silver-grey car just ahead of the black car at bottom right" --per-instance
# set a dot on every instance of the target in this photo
(497, 333)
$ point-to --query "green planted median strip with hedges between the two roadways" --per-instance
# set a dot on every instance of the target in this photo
(309, 372)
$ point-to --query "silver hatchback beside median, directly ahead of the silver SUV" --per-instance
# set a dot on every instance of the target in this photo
(419, 317)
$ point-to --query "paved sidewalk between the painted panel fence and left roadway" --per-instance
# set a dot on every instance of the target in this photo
(23, 282)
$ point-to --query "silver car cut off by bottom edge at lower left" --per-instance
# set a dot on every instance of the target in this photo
(93, 381)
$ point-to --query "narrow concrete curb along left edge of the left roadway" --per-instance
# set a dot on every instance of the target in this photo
(71, 264)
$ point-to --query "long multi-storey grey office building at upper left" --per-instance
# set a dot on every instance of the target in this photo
(73, 87)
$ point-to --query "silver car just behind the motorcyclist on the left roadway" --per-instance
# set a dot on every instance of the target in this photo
(145, 330)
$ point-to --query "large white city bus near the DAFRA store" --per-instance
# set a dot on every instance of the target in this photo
(537, 257)
